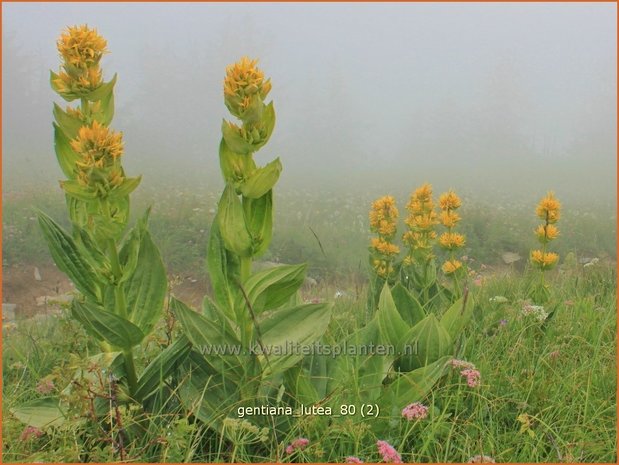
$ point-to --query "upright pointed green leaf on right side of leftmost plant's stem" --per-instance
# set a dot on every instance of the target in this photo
(147, 286)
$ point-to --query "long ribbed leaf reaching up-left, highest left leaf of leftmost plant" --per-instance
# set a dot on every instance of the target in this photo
(67, 257)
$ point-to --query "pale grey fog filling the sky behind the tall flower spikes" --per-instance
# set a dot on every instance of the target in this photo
(515, 99)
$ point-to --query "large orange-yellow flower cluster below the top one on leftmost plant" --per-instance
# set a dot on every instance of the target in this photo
(99, 148)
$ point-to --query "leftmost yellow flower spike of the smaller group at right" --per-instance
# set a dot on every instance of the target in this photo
(383, 221)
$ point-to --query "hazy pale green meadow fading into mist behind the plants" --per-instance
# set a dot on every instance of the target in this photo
(328, 230)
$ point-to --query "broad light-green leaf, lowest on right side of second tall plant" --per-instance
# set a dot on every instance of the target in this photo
(297, 326)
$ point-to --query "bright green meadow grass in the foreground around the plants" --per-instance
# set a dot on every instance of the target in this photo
(547, 392)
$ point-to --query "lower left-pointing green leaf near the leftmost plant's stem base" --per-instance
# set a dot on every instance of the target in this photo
(106, 325)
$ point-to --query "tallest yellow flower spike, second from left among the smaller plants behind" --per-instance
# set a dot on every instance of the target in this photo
(421, 221)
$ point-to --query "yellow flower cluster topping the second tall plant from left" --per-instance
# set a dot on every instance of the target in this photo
(245, 87)
